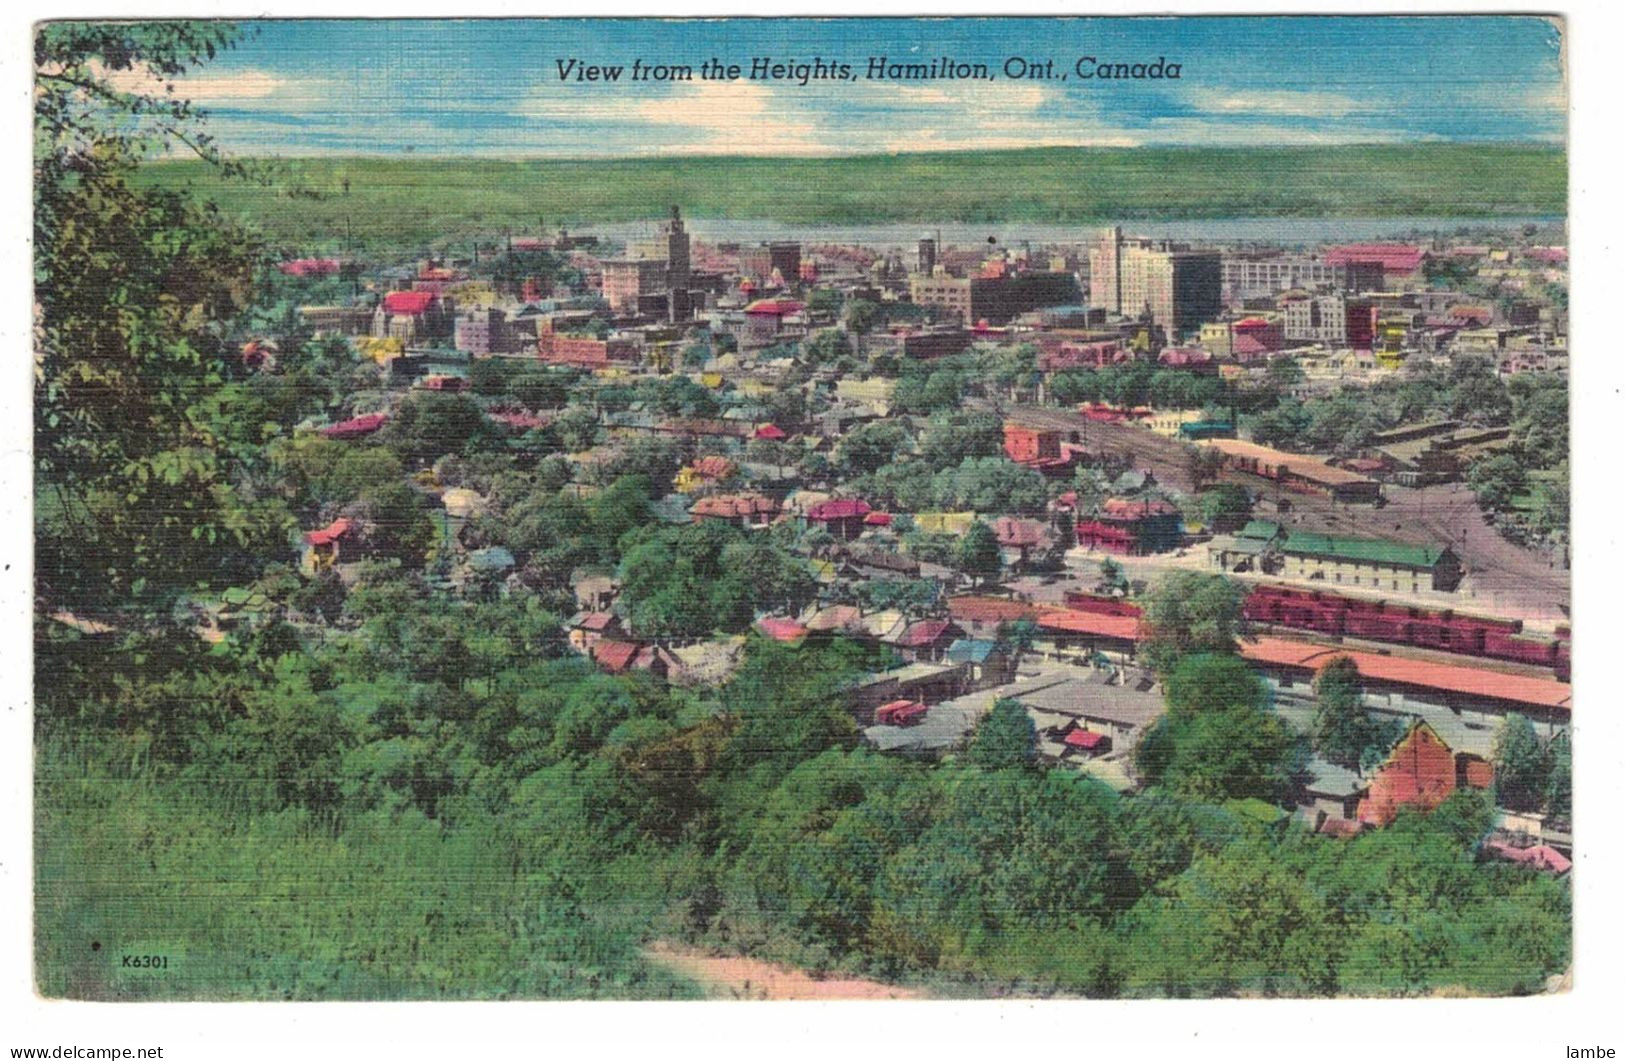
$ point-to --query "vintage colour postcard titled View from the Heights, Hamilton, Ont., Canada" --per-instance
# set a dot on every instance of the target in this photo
(802, 509)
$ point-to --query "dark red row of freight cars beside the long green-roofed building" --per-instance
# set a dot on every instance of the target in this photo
(1406, 625)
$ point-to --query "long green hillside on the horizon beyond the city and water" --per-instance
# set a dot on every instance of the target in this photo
(414, 202)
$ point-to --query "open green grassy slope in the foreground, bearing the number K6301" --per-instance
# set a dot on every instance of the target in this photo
(275, 906)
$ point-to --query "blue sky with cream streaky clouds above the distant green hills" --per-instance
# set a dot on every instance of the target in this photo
(492, 89)
